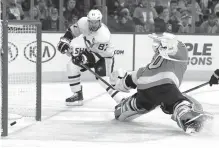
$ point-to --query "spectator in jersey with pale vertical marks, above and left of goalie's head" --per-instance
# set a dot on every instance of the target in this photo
(143, 17)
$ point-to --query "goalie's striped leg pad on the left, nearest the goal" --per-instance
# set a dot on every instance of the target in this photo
(127, 110)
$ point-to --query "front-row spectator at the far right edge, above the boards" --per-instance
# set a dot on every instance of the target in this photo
(210, 26)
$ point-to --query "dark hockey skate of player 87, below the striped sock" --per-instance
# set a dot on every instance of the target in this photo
(75, 100)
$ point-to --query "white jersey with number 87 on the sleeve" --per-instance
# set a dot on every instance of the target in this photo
(98, 42)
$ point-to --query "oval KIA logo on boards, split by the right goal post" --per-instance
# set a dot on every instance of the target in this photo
(48, 51)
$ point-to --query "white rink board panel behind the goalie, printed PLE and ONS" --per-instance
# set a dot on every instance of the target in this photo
(202, 50)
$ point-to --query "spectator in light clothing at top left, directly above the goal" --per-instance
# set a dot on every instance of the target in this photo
(14, 10)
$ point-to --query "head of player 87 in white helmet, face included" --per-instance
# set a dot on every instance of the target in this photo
(94, 19)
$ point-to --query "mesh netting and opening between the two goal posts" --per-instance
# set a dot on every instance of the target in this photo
(22, 50)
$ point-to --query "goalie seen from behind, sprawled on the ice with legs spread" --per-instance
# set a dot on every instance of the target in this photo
(157, 85)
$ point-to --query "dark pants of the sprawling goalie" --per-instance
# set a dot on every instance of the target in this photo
(166, 96)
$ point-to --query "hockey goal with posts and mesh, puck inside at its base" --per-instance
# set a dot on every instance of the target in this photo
(21, 74)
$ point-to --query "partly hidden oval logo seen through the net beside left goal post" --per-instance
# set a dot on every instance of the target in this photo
(12, 52)
